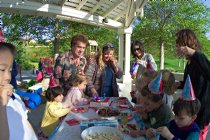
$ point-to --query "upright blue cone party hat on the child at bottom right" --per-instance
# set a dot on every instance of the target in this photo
(188, 92)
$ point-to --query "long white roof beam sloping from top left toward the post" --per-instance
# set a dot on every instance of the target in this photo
(54, 10)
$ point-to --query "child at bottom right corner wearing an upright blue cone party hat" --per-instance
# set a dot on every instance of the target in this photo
(186, 109)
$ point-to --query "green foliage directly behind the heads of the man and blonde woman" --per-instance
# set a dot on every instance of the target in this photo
(101, 35)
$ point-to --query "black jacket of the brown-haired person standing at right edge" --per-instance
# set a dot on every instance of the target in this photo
(199, 71)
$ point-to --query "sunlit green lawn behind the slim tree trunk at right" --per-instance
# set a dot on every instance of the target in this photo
(173, 64)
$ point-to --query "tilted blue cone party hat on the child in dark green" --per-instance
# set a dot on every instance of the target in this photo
(155, 86)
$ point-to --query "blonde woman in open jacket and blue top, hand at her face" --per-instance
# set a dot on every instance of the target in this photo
(103, 71)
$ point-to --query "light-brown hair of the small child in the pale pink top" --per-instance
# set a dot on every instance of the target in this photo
(75, 79)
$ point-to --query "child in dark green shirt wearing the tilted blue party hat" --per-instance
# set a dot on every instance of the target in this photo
(155, 112)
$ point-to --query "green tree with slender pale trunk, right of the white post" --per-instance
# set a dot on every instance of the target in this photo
(164, 18)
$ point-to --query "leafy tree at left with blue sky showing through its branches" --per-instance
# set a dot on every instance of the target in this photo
(39, 28)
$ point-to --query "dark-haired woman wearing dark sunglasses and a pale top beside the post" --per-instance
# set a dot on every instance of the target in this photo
(141, 58)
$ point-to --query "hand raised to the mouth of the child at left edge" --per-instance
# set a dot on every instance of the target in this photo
(5, 92)
